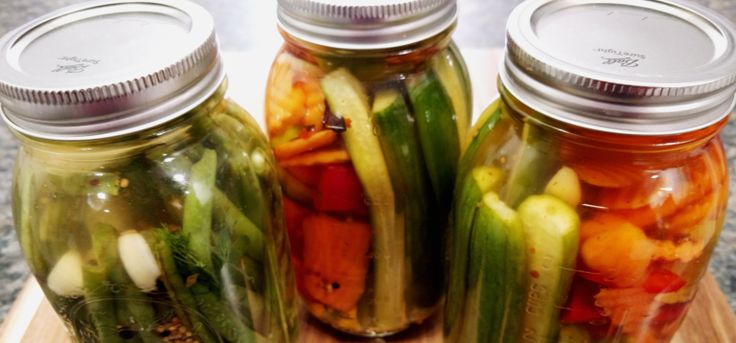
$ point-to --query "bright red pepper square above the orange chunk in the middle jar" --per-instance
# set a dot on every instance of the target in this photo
(339, 190)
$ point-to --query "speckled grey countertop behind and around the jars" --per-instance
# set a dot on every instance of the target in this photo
(248, 26)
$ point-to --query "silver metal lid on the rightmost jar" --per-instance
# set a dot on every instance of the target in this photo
(642, 67)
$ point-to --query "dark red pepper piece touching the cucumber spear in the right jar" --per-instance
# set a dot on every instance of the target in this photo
(580, 307)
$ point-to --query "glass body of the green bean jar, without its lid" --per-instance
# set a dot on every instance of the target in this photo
(162, 235)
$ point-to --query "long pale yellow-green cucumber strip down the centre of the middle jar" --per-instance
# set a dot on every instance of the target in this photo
(348, 99)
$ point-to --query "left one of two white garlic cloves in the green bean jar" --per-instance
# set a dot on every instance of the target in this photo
(65, 278)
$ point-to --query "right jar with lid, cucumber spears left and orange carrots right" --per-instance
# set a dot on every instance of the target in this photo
(594, 189)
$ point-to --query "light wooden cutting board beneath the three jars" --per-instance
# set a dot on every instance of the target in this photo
(32, 320)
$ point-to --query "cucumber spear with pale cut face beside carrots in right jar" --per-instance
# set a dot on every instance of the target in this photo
(551, 228)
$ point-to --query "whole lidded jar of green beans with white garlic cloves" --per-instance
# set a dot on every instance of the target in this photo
(146, 206)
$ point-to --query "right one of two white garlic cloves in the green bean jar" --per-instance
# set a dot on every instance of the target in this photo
(138, 260)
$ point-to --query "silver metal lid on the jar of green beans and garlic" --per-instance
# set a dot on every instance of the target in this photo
(106, 68)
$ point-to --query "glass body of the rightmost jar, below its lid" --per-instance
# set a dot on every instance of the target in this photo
(589, 236)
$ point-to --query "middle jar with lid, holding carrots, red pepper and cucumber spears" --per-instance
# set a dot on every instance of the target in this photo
(367, 108)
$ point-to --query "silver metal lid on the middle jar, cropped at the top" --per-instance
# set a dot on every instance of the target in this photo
(365, 24)
